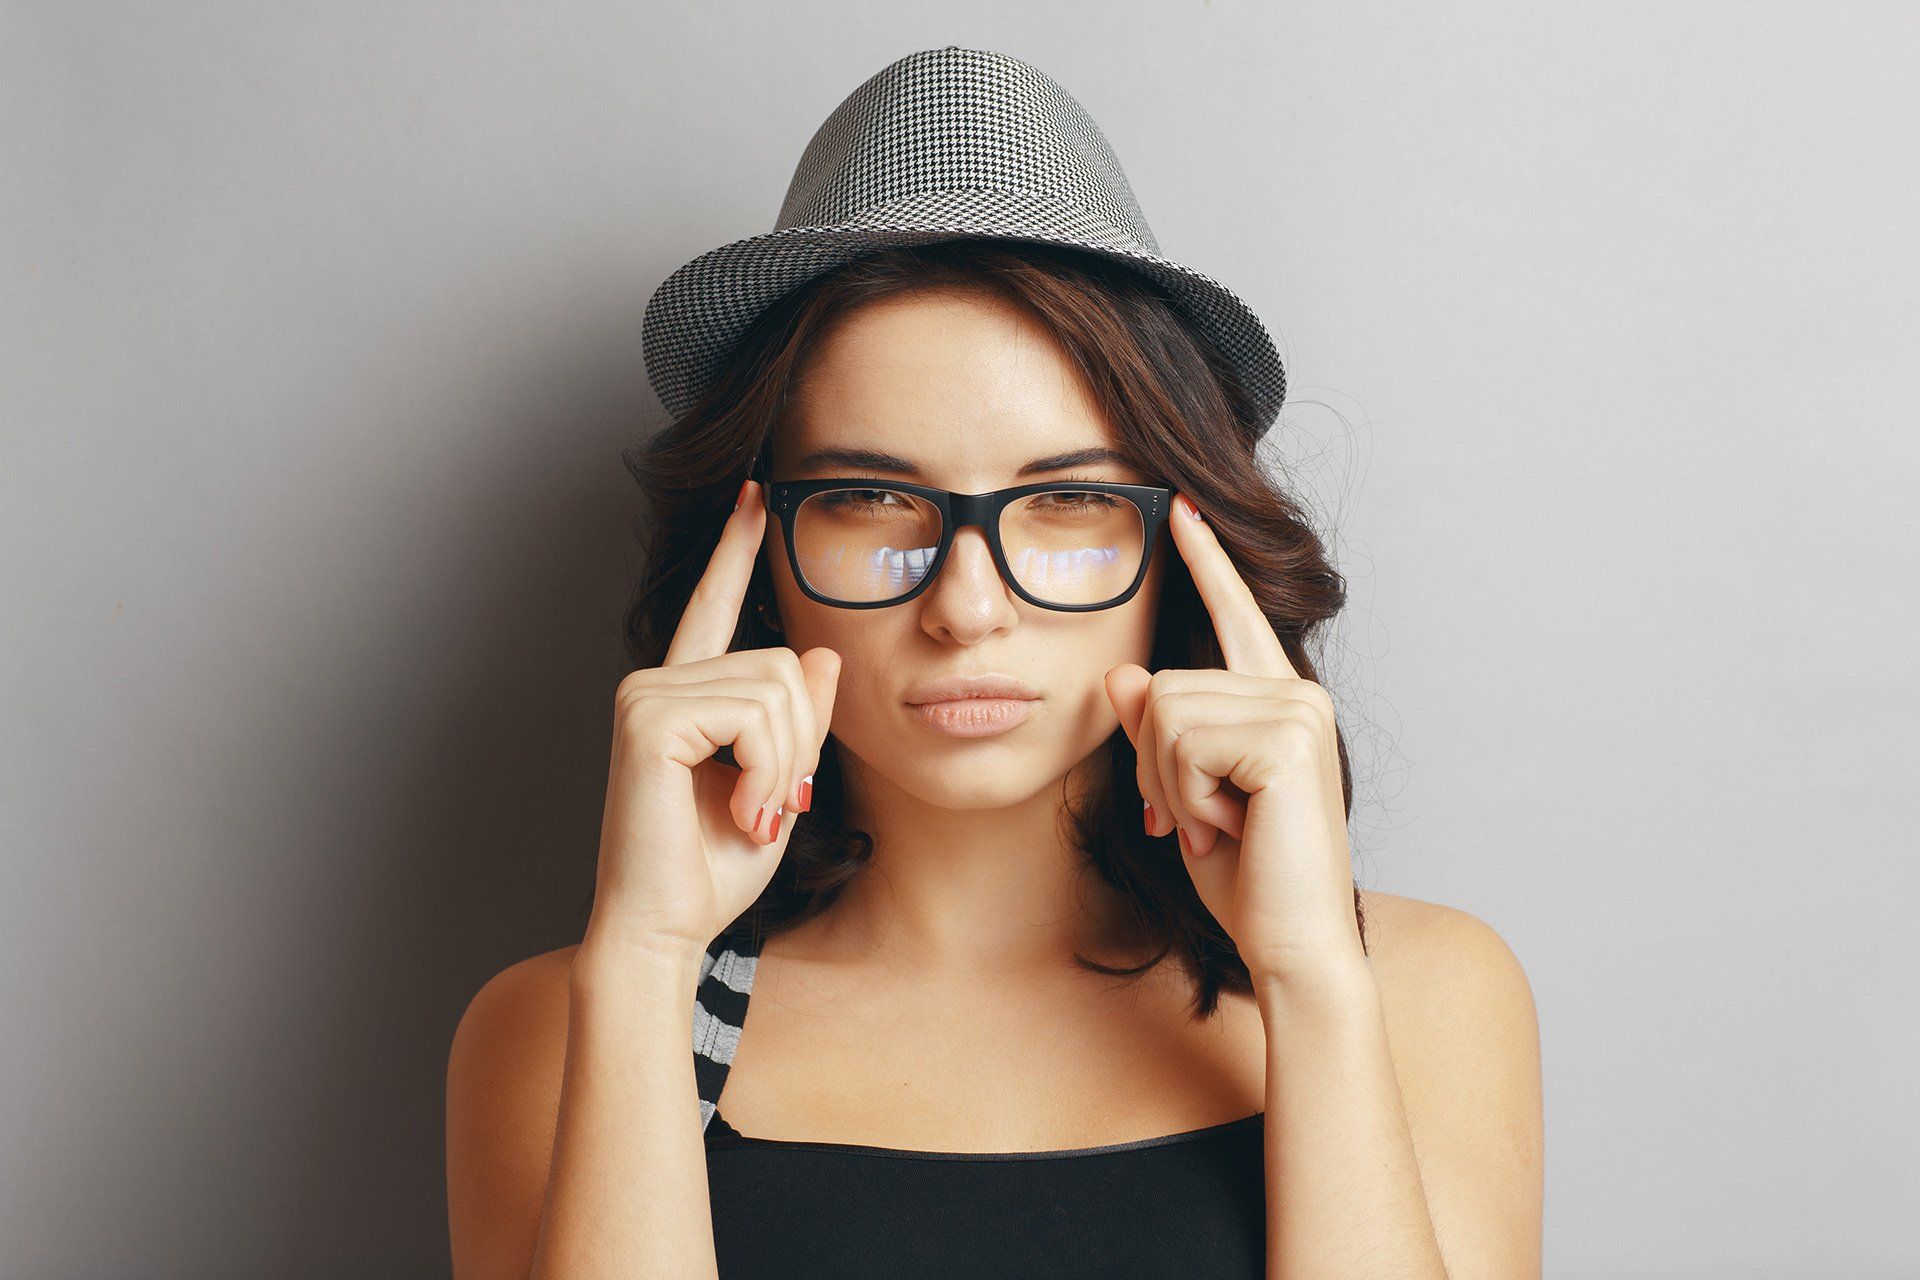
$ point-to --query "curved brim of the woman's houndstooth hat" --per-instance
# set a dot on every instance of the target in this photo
(700, 312)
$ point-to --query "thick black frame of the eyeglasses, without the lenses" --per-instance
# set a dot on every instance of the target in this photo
(961, 511)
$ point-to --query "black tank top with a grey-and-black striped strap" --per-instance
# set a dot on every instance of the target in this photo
(1176, 1206)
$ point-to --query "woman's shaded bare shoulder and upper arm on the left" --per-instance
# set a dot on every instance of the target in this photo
(504, 1101)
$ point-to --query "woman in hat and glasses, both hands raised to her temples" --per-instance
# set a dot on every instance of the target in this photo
(1001, 573)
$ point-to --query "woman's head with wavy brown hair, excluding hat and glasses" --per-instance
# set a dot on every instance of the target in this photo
(969, 362)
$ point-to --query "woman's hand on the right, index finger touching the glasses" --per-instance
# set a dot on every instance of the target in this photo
(1245, 763)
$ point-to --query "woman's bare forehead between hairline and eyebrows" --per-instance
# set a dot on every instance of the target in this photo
(953, 379)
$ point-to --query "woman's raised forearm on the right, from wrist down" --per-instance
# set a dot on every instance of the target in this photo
(1345, 1197)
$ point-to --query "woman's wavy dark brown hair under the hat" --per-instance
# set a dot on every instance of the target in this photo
(1176, 412)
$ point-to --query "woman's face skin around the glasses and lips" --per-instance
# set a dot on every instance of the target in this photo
(967, 391)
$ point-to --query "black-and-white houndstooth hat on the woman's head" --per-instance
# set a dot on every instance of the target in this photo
(940, 145)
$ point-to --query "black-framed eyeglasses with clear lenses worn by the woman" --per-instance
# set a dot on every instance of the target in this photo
(869, 544)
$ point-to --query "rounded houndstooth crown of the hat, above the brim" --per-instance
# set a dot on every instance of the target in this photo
(959, 120)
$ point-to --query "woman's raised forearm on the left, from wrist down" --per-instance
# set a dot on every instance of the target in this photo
(627, 1195)
